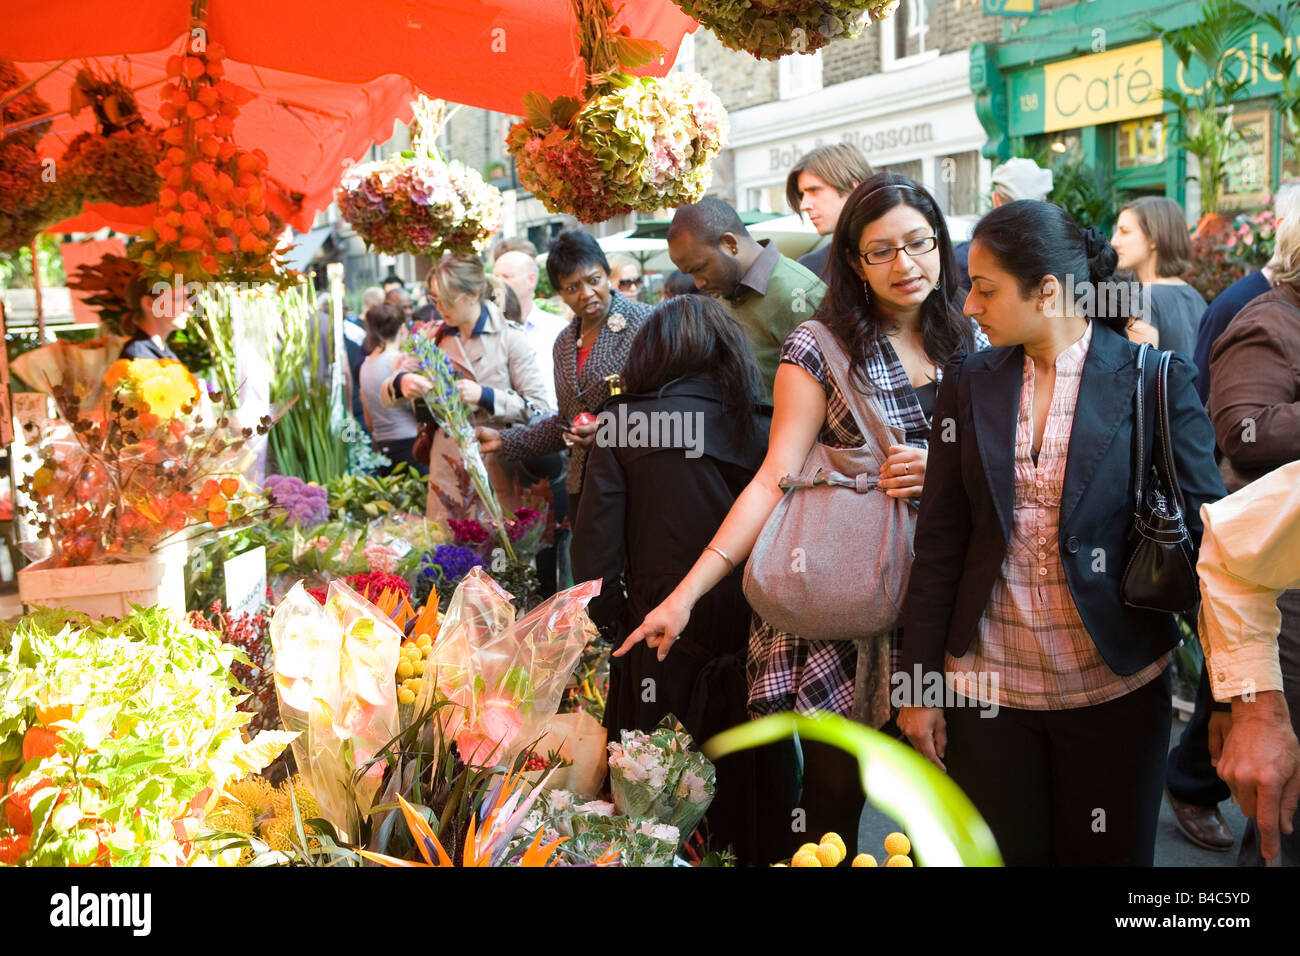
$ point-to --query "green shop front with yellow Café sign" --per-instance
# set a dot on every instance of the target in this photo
(1087, 79)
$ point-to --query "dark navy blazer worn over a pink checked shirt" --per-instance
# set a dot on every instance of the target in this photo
(965, 520)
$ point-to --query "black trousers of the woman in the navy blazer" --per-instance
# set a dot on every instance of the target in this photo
(1078, 788)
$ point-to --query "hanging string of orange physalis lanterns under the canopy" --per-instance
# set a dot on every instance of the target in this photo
(213, 215)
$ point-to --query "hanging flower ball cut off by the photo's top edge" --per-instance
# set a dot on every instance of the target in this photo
(778, 28)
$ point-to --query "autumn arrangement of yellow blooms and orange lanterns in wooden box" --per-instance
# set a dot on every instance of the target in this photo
(153, 460)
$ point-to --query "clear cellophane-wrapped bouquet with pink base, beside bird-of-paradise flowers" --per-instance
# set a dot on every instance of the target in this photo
(505, 676)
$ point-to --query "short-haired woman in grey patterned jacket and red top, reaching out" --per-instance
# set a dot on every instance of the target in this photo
(588, 354)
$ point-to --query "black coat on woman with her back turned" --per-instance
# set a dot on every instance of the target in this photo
(645, 517)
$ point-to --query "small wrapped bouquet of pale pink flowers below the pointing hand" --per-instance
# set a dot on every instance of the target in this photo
(658, 777)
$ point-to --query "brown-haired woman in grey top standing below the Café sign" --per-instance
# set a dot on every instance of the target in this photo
(1151, 239)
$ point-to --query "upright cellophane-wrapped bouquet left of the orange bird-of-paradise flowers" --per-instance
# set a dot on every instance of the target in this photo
(335, 668)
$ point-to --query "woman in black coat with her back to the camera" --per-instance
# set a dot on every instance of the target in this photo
(649, 509)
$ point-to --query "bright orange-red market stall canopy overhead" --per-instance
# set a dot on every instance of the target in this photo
(330, 76)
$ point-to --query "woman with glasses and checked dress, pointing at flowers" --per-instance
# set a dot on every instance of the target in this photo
(889, 314)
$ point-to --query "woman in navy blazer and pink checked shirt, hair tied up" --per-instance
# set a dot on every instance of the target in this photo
(1058, 720)
